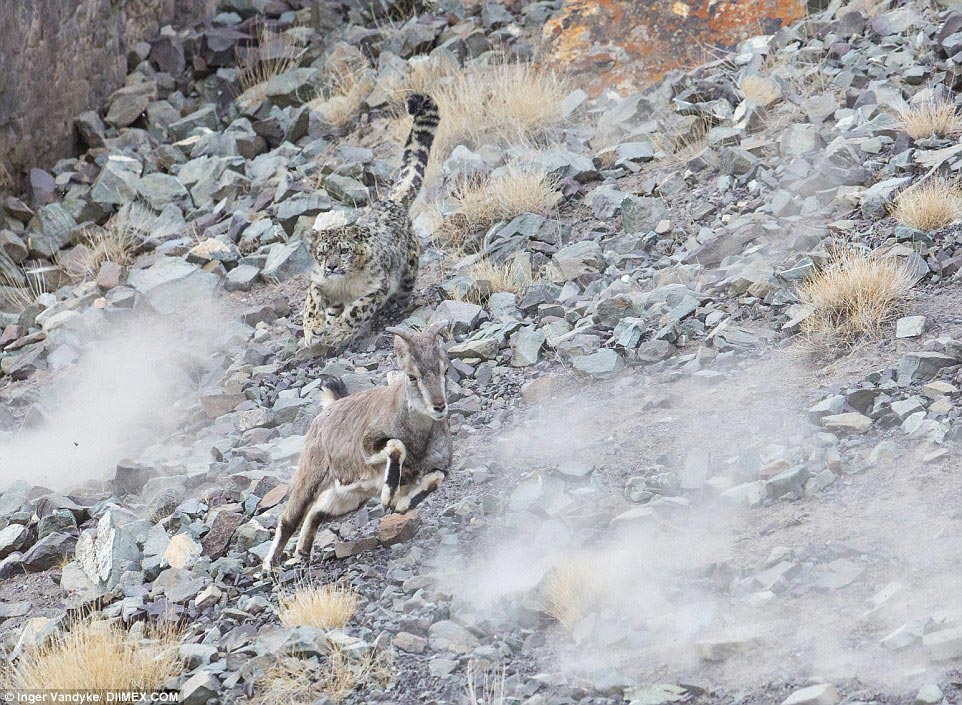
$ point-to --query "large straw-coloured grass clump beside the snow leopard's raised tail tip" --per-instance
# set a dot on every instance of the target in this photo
(498, 103)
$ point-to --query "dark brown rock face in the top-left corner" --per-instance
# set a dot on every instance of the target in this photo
(61, 57)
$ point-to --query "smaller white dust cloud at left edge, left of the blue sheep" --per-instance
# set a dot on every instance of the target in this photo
(132, 384)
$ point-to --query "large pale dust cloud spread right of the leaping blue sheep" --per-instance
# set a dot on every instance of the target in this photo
(682, 593)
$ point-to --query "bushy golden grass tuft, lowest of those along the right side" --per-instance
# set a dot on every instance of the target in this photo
(852, 298)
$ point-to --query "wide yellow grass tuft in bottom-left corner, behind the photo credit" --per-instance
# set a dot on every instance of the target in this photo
(98, 657)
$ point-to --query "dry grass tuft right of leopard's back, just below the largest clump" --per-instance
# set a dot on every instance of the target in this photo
(482, 202)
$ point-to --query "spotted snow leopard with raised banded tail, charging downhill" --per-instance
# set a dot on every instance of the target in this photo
(360, 268)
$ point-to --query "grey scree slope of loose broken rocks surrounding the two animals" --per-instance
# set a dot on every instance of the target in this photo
(640, 434)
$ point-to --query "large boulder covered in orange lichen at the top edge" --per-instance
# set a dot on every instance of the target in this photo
(628, 44)
